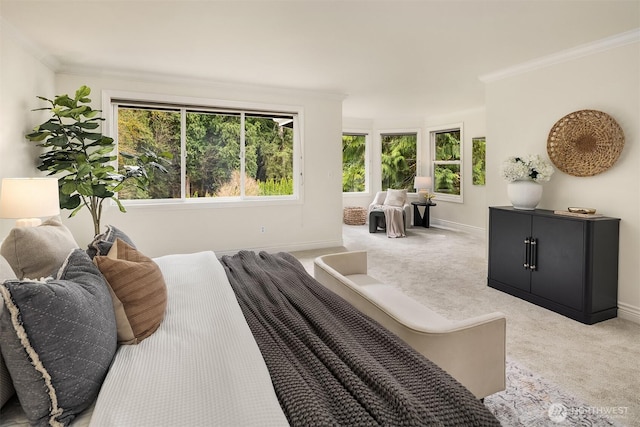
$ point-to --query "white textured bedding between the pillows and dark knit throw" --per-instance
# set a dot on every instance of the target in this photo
(202, 367)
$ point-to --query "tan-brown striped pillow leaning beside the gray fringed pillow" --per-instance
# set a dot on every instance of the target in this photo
(139, 291)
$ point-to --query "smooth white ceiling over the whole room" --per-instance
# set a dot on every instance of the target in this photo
(390, 58)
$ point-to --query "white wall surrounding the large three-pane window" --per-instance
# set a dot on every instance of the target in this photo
(161, 230)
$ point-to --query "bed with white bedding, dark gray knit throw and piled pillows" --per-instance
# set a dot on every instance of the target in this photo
(248, 339)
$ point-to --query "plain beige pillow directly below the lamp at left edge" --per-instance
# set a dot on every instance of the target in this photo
(36, 252)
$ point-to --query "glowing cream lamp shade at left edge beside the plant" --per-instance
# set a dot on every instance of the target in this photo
(29, 198)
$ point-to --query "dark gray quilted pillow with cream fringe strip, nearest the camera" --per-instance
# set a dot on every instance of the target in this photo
(58, 339)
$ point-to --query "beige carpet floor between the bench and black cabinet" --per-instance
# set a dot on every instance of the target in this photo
(447, 271)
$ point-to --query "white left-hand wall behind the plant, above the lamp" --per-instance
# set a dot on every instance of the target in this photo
(22, 77)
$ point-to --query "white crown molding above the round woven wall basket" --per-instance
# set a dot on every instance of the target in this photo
(580, 51)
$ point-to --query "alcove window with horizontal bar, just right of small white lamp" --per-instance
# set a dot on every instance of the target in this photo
(446, 151)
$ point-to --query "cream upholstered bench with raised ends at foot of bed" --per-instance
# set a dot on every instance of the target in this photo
(471, 350)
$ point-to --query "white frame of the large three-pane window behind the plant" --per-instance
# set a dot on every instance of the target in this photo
(110, 129)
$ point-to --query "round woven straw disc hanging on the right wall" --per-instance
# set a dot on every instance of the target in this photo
(585, 143)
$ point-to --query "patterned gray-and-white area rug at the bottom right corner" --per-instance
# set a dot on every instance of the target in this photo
(531, 401)
